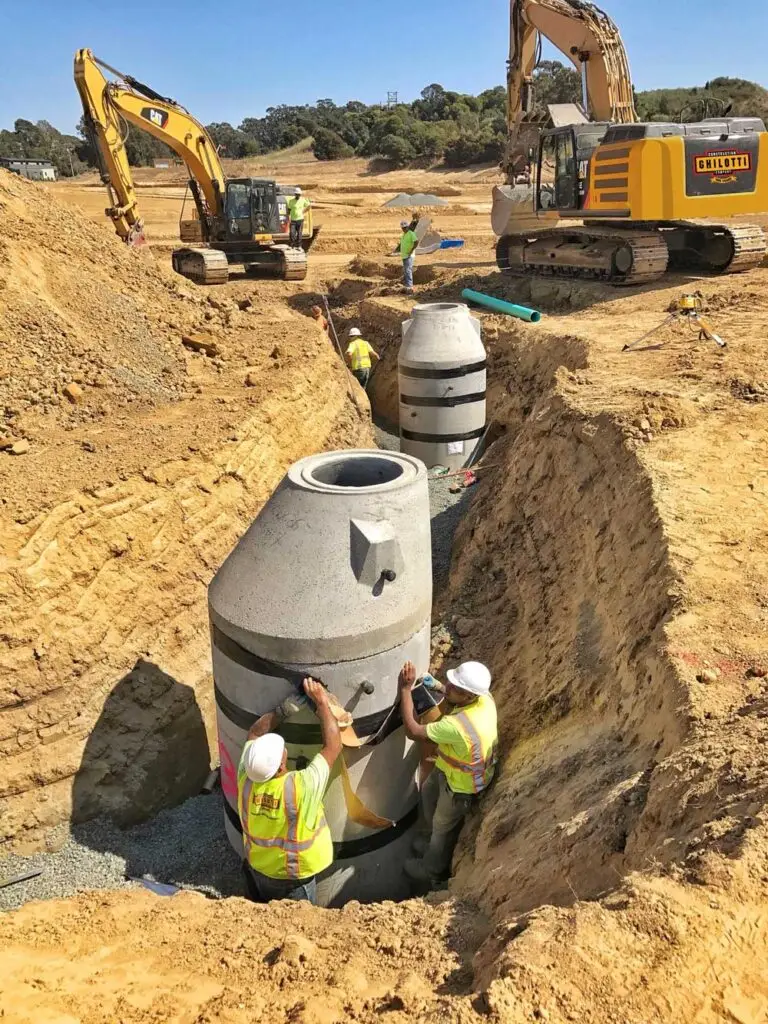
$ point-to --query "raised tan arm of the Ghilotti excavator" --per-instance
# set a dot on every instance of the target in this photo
(591, 41)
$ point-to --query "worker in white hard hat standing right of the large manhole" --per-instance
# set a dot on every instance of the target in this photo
(466, 739)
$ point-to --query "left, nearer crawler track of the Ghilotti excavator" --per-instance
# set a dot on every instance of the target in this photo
(590, 253)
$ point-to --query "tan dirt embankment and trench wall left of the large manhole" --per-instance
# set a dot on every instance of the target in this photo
(123, 503)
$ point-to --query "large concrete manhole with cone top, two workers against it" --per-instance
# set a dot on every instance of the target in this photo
(334, 580)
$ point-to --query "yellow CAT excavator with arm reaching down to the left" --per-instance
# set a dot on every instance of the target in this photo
(241, 222)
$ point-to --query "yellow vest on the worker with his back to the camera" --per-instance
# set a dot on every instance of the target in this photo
(277, 839)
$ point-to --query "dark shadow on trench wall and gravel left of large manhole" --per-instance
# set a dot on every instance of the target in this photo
(138, 794)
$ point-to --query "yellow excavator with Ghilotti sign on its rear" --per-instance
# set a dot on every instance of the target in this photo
(612, 198)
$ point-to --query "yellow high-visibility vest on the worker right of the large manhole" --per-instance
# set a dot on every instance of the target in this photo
(472, 773)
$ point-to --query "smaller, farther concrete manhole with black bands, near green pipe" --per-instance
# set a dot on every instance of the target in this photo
(442, 374)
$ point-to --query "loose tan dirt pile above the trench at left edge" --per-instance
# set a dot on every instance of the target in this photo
(89, 325)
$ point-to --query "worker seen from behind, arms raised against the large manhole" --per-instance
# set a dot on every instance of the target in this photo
(286, 838)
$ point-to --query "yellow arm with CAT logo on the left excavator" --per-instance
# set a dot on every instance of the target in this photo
(107, 106)
